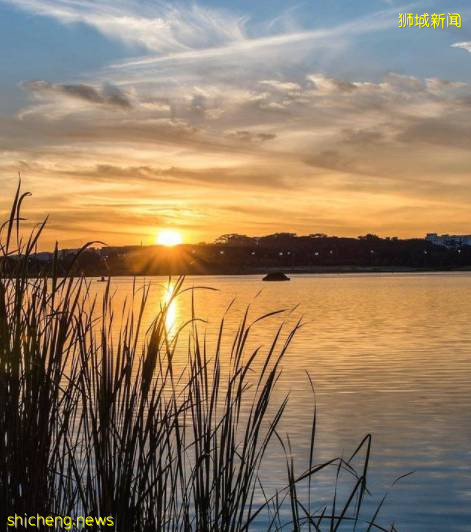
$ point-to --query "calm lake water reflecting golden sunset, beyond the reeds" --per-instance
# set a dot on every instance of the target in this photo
(390, 355)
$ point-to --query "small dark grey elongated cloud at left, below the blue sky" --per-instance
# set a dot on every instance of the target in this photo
(108, 95)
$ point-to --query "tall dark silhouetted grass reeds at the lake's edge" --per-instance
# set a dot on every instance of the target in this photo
(95, 422)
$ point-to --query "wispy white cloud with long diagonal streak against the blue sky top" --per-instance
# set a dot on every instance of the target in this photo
(191, 32)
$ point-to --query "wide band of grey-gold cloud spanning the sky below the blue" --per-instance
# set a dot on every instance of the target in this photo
(304, 119)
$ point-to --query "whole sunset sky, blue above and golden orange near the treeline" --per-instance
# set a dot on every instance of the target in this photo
(124, 117)
